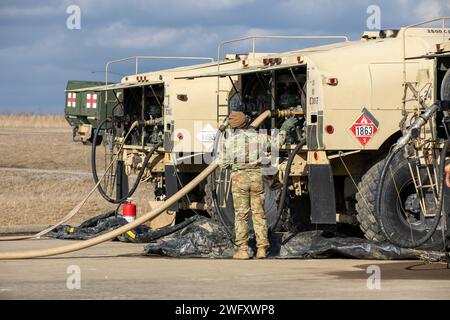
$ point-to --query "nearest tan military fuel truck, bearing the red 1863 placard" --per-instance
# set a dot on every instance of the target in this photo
(353, 100)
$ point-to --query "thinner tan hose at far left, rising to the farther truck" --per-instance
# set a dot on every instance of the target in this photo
(79, 205)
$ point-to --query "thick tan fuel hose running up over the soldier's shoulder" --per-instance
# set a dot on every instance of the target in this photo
(115, 233)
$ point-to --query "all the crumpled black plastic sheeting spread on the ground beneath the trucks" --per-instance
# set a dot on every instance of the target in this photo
(200, 237)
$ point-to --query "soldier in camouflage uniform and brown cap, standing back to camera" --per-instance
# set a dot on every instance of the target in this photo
(243, 151)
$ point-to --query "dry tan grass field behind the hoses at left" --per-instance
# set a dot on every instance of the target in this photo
(44, 174)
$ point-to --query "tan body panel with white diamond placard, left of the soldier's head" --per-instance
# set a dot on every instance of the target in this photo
(200, 111)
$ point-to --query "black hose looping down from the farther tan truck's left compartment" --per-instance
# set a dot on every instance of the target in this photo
(94, 168)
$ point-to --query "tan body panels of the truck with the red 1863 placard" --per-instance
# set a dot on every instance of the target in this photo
(370, 75)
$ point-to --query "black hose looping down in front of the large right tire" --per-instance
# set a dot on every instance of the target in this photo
(437, 217)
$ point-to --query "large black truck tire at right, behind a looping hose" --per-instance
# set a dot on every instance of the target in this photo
(400, 216)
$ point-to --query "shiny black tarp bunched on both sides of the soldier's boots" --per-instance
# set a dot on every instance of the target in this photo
(205, 238)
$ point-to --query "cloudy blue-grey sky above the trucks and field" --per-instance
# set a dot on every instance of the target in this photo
(38, 53)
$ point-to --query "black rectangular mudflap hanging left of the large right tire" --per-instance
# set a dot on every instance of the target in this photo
(321, 193)
